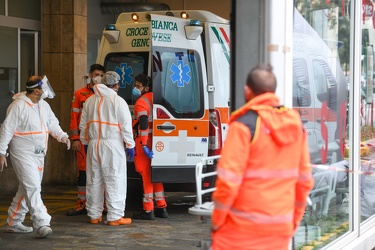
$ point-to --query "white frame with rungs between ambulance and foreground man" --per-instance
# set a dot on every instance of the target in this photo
(203, 209)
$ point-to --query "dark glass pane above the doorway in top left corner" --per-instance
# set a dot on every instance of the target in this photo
(29, 9)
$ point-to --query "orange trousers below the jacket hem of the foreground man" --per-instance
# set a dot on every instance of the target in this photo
(230, 238)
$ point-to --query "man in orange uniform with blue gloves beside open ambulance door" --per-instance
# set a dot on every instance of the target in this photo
(142, 124)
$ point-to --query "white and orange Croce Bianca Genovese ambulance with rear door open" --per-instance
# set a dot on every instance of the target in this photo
(187, 55)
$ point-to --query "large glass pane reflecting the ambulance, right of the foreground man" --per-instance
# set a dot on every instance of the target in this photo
(320, 68)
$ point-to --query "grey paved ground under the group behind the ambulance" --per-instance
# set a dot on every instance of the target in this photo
(179, 231)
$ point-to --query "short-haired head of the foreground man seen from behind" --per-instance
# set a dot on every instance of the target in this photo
(261, 79)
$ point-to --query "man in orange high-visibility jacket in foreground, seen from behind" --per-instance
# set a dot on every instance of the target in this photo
(264, 173)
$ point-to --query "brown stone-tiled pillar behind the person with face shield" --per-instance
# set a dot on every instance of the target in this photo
(64, 59)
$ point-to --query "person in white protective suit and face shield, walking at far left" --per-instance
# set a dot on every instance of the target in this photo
(26, 129)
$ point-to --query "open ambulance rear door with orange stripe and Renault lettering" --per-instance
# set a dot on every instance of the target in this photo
(180, 112)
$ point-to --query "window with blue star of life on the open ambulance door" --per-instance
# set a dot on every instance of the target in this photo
(178, 84)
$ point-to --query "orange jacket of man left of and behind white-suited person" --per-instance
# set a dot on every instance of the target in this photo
(80, 96)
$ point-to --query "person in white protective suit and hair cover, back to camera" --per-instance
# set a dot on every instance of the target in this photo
(106, 127)
